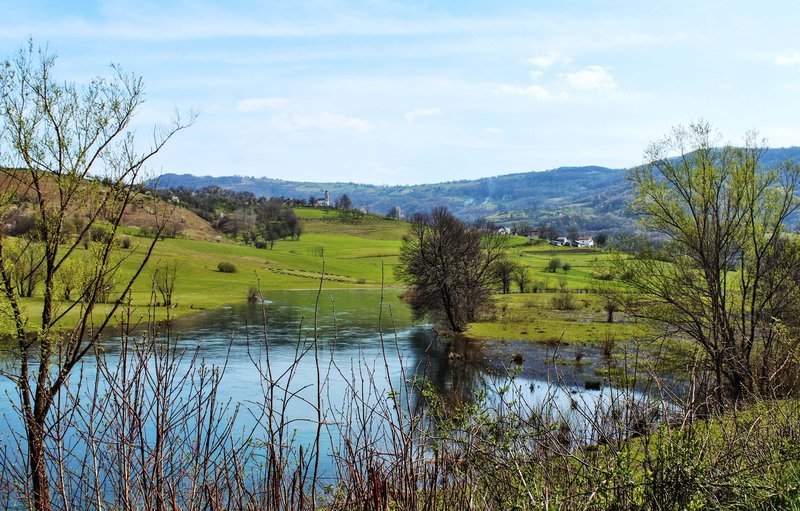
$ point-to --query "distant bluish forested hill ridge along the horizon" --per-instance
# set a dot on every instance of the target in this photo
(590, 197)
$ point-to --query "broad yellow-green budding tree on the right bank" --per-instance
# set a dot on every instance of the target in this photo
(727, 276)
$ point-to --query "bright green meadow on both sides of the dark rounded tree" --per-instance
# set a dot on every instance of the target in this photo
(356, 253)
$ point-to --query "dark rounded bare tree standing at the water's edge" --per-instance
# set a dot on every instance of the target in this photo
(449, 268)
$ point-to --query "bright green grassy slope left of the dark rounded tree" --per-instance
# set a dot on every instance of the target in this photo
(353, 253)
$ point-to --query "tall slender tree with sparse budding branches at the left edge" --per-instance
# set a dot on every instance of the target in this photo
(56, 139)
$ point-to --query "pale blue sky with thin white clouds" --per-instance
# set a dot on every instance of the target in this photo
(408, 92)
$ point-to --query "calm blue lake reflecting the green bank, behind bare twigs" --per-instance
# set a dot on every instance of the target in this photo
(355, 355)
